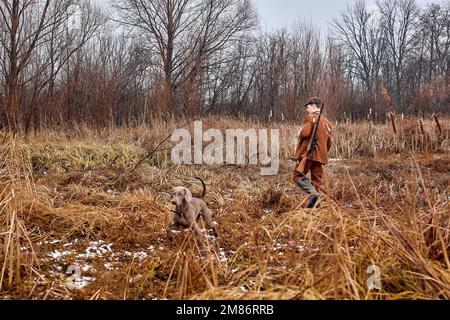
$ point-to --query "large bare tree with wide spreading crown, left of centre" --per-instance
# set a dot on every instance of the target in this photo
(185, 33)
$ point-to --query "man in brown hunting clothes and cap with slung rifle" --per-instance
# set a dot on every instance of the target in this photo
(320, 157)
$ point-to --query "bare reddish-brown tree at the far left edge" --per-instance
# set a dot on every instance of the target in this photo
(27, 29)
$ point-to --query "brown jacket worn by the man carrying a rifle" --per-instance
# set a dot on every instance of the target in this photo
(323, 134)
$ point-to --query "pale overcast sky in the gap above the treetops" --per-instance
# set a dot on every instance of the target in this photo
(275, 14)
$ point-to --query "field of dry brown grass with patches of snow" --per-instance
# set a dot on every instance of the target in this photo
(70, 197)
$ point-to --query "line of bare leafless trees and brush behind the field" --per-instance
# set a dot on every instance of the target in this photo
(134, 60)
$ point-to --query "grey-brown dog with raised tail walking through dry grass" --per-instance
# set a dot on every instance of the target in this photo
(188, 211)
